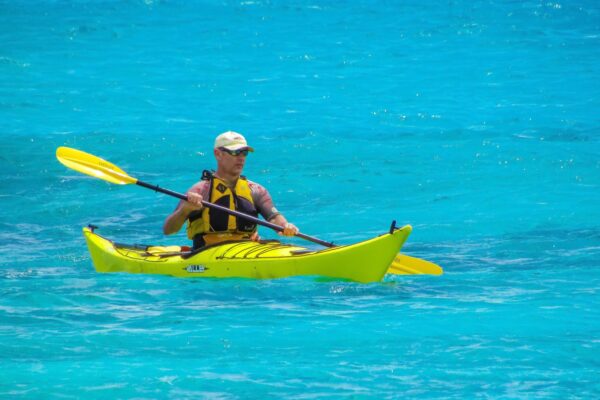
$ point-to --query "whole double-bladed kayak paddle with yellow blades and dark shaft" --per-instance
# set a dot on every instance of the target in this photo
(97, 167)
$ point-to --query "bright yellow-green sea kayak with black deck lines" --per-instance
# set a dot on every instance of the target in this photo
(365, 261)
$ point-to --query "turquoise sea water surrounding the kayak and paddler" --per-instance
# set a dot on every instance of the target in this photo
(476, 122)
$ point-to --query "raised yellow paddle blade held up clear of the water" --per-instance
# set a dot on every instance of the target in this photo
(94, 166)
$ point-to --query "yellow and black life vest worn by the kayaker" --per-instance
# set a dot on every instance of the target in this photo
(216, 223)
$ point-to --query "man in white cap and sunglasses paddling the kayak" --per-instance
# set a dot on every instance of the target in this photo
(228, 188)
